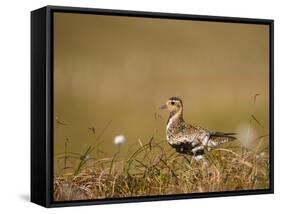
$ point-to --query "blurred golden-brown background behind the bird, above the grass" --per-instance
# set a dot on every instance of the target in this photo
(121, 69)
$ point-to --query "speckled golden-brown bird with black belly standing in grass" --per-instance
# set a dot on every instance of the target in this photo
(189, 139)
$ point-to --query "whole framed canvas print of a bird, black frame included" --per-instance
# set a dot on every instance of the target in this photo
(133, 106)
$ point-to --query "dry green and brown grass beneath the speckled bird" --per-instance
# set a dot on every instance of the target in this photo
(152, 168)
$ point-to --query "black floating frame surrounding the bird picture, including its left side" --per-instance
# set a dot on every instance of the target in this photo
(42, 103)
